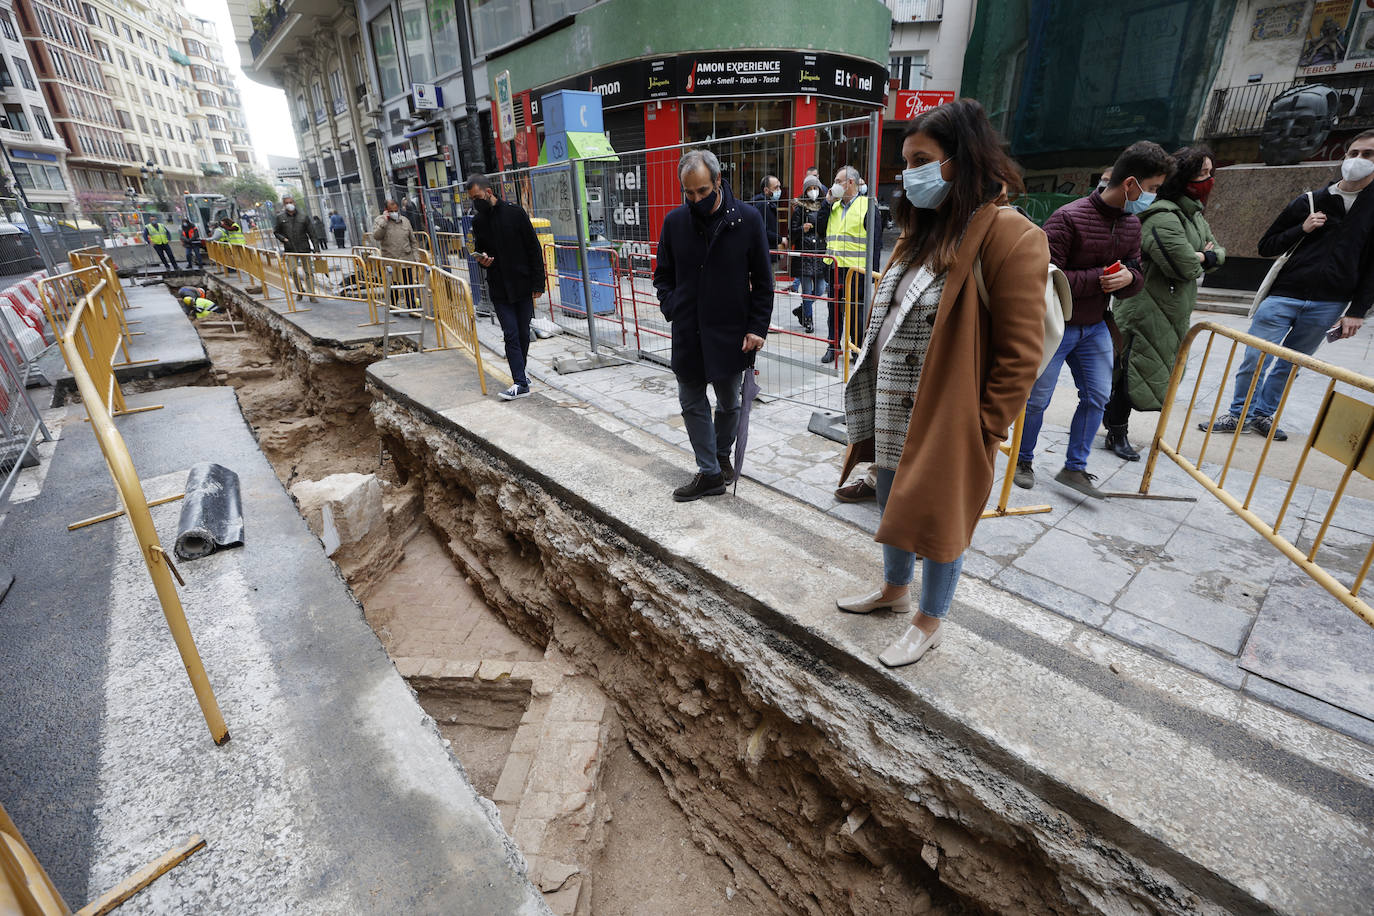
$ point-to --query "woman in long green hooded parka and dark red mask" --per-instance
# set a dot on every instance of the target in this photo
(1178, 249)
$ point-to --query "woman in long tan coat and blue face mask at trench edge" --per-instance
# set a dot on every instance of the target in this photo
(945, 374)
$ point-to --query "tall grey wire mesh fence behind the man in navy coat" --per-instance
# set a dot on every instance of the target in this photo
(598, 219)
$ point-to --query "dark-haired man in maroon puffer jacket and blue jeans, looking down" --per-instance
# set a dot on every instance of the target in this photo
(1096, 241)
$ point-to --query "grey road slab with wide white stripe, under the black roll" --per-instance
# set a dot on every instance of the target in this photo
(335, 796)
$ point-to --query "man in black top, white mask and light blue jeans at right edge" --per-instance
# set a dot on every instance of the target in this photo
(1324, 292)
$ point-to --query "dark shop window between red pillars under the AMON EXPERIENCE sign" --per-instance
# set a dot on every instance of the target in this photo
(725, 128)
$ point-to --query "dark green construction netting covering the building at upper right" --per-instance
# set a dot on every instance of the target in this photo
(1085, 75)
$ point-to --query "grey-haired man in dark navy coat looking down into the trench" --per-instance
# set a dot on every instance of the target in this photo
(715, 286)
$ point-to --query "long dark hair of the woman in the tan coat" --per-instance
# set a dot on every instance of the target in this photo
(984, 174)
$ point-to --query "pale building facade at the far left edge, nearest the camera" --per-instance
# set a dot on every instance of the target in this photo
(36, 159)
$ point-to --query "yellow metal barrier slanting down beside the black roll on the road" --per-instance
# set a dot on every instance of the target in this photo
(85, 344)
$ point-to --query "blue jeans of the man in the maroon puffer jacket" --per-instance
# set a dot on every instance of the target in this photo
(1088, 350)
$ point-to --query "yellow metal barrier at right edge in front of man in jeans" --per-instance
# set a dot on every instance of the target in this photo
(1343, 431)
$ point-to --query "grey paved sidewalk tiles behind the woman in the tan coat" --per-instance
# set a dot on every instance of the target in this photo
(1188, 582)
